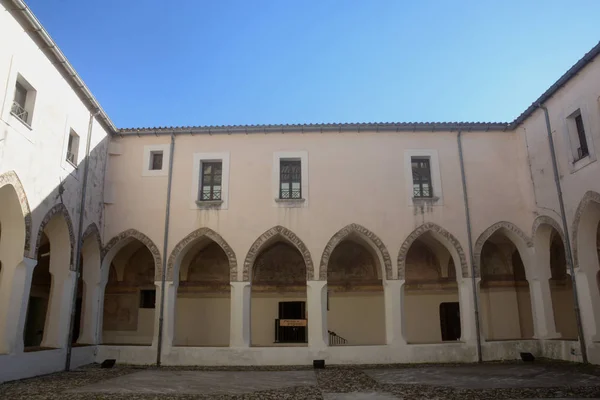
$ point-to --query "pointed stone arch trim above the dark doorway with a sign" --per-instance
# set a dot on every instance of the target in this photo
(267, 237)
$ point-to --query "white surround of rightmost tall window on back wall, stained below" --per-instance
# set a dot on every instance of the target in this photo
(436, 177)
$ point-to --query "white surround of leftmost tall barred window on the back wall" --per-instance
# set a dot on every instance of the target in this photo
(198, 159)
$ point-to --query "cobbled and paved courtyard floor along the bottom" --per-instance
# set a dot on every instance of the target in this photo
(539, 380)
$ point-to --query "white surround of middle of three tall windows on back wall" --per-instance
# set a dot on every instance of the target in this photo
(302, 156)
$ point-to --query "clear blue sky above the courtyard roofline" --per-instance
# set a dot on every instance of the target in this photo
(201, 62)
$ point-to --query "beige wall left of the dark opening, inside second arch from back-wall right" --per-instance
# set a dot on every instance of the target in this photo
(422, 314)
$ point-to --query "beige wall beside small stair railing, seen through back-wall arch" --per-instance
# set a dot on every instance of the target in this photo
(357, 317)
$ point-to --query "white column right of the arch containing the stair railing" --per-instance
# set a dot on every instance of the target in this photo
(393, 291)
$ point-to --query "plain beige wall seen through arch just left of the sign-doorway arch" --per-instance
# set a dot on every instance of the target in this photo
(202, 320)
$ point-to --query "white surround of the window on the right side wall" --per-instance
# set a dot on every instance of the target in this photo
(572, 138)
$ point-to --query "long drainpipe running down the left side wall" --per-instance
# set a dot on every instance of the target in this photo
(79, 242)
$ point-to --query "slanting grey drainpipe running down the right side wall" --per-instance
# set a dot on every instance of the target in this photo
(563, 216)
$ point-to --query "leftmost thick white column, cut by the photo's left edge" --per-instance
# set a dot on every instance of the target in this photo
(17, 300)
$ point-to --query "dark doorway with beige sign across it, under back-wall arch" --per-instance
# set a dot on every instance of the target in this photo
(291, 325)
